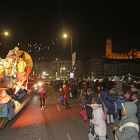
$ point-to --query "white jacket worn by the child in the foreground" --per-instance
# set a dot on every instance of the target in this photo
(99, 123)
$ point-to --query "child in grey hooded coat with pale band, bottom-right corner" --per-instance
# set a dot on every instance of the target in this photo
(128, 126)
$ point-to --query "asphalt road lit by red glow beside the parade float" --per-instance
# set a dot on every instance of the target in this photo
(54, 123)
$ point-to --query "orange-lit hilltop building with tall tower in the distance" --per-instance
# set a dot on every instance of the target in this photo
(134, 54)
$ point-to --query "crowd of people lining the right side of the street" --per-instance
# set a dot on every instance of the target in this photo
(104, 103)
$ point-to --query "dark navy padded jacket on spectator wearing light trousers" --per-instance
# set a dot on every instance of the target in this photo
(110, 104)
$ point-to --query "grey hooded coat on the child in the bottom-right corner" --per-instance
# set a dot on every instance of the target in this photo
(128, 132)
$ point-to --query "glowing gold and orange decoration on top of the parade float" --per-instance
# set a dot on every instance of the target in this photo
(14, 71)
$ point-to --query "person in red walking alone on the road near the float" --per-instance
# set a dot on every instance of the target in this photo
(42, 95)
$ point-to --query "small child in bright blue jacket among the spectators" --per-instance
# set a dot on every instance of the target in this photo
(119, 106)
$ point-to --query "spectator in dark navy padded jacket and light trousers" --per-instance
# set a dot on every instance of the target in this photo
(111, 106)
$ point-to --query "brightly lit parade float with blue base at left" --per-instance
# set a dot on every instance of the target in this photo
(14, 93)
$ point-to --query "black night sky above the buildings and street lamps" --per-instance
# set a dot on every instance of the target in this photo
(89, 22)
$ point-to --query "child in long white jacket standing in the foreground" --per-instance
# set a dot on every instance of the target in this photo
(97, 120)
